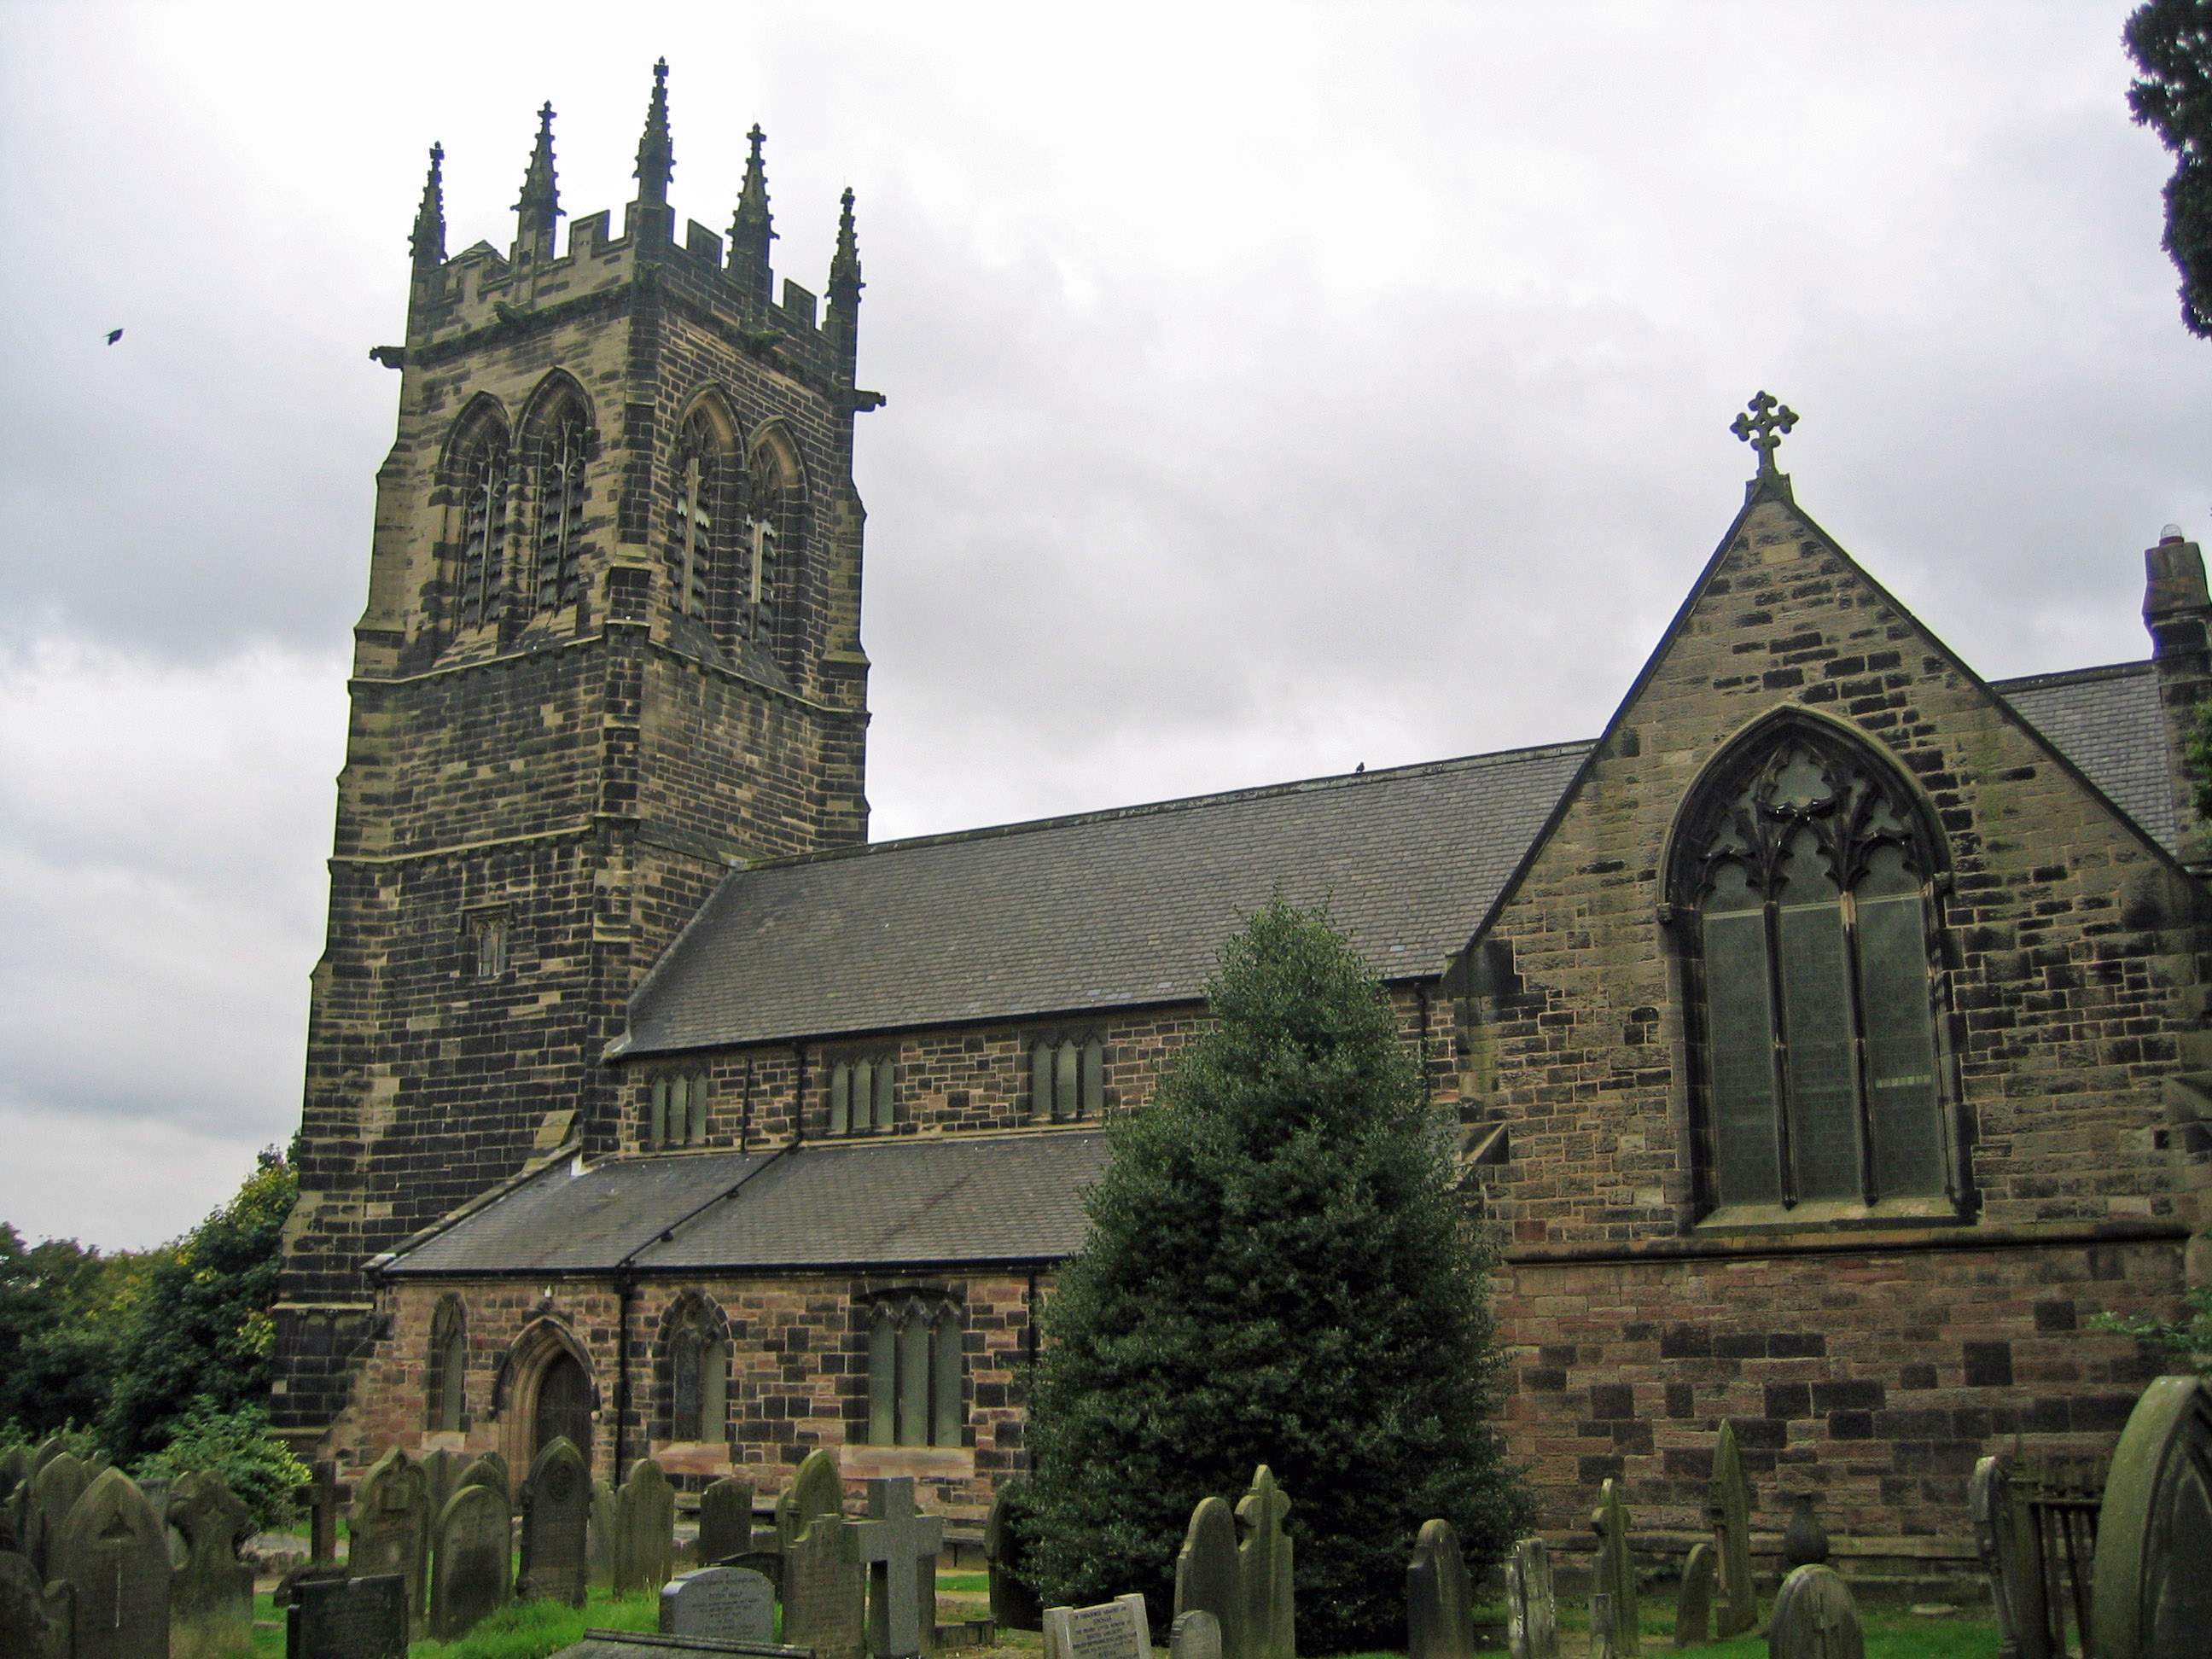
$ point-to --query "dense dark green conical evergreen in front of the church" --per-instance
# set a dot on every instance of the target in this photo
(1277, 1273)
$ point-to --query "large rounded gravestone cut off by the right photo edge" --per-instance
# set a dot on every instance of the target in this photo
(2153, 1589)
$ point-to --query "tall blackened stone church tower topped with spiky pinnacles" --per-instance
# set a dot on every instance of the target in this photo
(612, 649)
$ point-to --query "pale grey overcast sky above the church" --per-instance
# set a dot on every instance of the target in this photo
(1271, 390)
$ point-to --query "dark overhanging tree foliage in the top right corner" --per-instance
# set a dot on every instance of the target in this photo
(2171, 43)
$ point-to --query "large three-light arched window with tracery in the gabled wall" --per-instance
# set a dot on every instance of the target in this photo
(1804, 868)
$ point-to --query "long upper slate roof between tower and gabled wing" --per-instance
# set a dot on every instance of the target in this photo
(1098, 910)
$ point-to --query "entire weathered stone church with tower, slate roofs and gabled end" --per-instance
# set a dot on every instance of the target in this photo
(1826, 1041)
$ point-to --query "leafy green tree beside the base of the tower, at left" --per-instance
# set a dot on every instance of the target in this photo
(202, 1331)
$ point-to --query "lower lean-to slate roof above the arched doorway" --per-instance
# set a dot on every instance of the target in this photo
(908, 1202)
